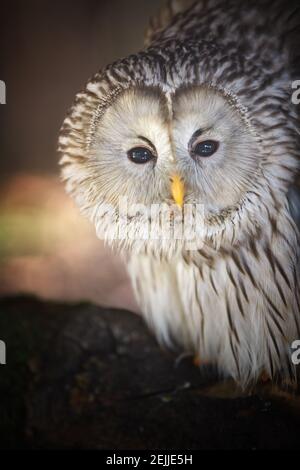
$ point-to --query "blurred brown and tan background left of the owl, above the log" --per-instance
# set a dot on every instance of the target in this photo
(48, 50)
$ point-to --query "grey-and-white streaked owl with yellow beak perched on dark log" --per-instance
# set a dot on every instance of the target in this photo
(201, 119)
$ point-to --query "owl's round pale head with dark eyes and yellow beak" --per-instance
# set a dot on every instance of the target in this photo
(145, 142)
